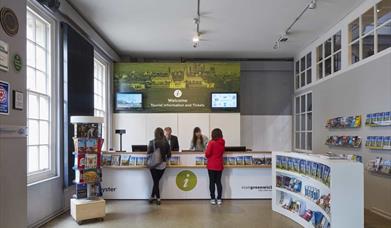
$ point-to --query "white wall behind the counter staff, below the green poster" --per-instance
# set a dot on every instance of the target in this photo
(140, 127)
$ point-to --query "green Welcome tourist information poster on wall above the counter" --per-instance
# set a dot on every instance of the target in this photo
(173, 87)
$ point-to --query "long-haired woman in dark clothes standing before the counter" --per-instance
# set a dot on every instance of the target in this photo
(160, 143)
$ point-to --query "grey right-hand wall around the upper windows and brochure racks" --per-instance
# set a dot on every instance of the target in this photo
(360, 88)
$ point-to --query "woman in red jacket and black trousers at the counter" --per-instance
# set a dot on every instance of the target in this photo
(214, 153)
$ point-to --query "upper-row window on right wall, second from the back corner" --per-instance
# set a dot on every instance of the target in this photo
(328, 56)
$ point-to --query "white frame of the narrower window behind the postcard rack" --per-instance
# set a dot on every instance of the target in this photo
(98, 59)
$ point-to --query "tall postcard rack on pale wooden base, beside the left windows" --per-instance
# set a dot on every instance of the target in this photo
(87, 202)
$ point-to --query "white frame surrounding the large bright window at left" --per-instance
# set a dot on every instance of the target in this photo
(52, 171)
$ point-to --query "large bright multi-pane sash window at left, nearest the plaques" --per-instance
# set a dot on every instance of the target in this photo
(40, 97)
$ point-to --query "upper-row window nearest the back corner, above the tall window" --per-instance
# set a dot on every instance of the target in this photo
(303, 71)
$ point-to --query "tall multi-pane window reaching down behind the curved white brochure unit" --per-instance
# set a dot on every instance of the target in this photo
(303, 122)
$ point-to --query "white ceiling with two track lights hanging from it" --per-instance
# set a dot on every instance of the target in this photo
(234, 28)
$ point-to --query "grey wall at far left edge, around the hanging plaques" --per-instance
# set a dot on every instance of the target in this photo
(13, 155)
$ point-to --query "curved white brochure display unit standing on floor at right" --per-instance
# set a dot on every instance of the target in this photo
(318, 190)
